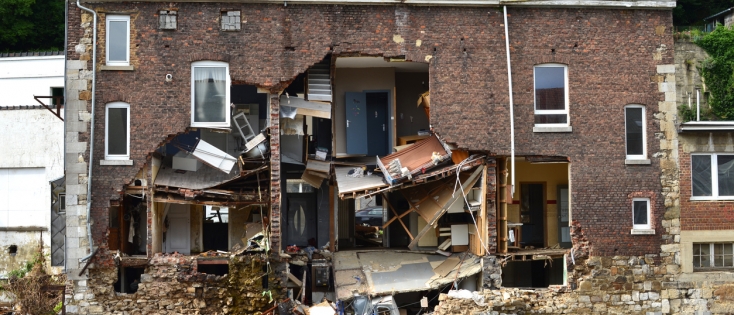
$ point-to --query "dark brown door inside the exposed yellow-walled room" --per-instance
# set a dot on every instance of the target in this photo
(532, 208)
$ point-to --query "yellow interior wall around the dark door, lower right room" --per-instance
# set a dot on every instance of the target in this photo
(553, 174)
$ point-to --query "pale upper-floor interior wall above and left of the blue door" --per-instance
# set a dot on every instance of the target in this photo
(355, 80)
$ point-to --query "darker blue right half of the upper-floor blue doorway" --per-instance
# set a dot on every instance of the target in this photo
(377, 124)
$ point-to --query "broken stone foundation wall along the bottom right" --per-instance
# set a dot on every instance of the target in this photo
(610, 285)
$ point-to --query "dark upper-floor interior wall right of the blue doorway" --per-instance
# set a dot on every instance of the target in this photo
(408, 87)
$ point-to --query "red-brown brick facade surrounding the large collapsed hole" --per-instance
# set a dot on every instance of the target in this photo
(610, 55)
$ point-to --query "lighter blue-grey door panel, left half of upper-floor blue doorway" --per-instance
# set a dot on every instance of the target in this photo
(356, 120)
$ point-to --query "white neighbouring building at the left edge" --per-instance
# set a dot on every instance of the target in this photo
(31, 158)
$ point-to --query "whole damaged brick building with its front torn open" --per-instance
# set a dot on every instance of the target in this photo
(225, 156)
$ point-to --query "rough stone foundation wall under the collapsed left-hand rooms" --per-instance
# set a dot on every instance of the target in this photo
(172, 284)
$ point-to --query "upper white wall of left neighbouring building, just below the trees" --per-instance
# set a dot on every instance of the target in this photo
(23, 77)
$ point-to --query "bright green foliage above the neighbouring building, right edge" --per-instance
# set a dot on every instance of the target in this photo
(718, 70)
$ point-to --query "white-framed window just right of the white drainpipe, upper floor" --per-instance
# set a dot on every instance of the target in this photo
(551, 95)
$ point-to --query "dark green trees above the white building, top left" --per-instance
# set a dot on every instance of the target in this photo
(31, 25)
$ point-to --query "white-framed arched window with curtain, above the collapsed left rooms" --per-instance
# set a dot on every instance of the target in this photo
(210, 94)
